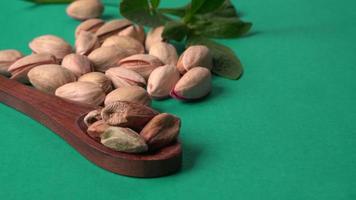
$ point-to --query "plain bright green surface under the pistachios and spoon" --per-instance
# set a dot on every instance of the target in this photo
(285, 130)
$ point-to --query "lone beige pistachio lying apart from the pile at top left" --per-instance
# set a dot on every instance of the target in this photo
(85, 9)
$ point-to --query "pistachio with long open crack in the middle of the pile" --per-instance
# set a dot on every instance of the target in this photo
(143, 64)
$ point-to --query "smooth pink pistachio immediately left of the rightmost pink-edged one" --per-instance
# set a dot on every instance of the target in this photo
(162, 80)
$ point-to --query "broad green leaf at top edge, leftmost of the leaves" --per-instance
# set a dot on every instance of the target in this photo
(141, 12)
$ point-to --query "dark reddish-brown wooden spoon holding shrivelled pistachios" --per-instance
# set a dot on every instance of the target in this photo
(66, 119)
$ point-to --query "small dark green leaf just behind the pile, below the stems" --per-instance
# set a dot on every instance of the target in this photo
(175, 30)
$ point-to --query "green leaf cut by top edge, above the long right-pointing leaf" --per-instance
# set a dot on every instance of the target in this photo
(205, 6)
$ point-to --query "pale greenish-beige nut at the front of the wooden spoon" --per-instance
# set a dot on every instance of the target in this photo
(124, 140)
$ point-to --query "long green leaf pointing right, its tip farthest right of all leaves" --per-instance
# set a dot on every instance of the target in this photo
(221, 27)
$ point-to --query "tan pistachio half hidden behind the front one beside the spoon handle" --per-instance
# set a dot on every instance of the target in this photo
(99, 79)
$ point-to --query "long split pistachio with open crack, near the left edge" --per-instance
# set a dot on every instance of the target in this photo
(21, 67)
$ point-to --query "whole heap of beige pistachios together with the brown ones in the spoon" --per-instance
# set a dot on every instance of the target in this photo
(114, 65)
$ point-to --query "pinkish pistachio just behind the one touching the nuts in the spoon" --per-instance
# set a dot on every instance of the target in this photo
(122, 77)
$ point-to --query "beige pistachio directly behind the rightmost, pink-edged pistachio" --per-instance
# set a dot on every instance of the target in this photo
(195, 56)
